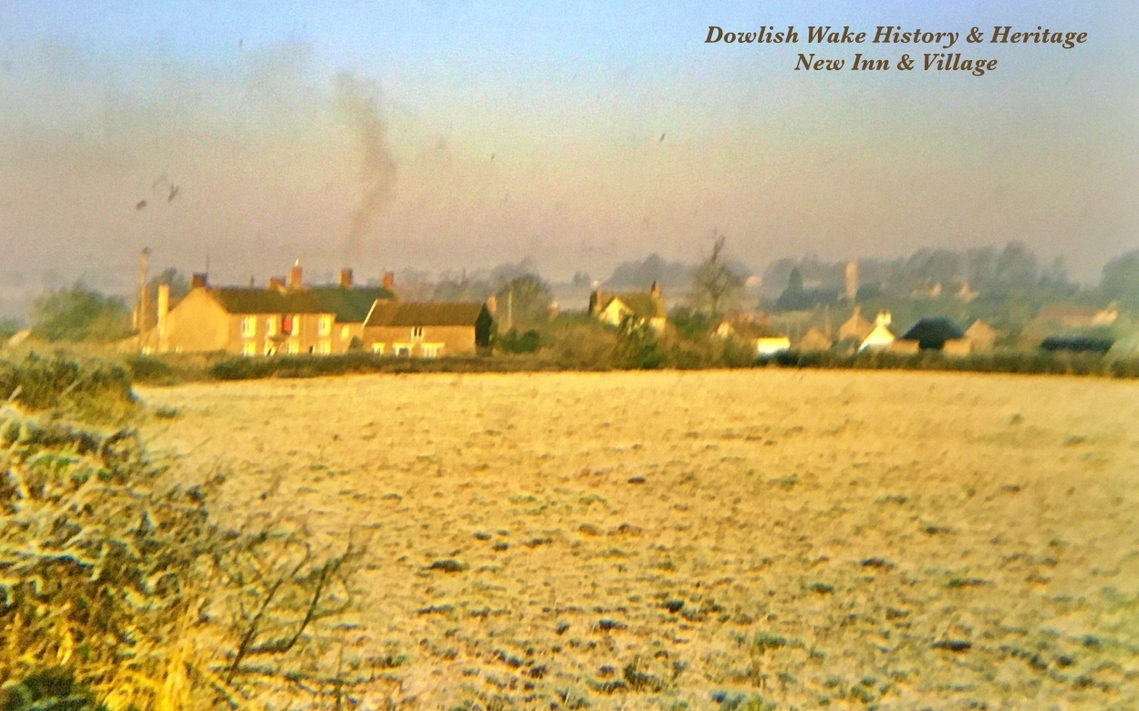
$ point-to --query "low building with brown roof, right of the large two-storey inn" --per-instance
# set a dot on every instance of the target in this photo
(427, 330)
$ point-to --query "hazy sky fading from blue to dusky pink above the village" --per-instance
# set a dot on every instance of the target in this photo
(448, 136)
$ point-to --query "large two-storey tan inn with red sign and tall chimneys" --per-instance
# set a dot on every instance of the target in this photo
(248, 322)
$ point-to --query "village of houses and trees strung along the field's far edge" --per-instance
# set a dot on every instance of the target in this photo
(289, 316)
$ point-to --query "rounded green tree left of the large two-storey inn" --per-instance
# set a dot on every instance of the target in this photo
(79, 314)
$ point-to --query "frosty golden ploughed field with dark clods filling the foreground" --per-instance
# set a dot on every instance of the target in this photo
(718, 540)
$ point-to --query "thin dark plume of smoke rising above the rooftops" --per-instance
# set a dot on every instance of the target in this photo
(357, 101)
